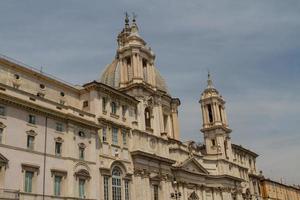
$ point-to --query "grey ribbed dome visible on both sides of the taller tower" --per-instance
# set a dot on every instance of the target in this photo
(111, 77)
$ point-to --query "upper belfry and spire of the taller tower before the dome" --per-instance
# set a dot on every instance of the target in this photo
(136, 59)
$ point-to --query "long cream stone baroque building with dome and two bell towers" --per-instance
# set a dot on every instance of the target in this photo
(116, 138)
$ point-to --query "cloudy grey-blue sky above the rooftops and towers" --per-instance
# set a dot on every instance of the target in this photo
(251, 48)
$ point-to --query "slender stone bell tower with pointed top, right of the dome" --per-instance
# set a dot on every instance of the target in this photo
(215, 126)
